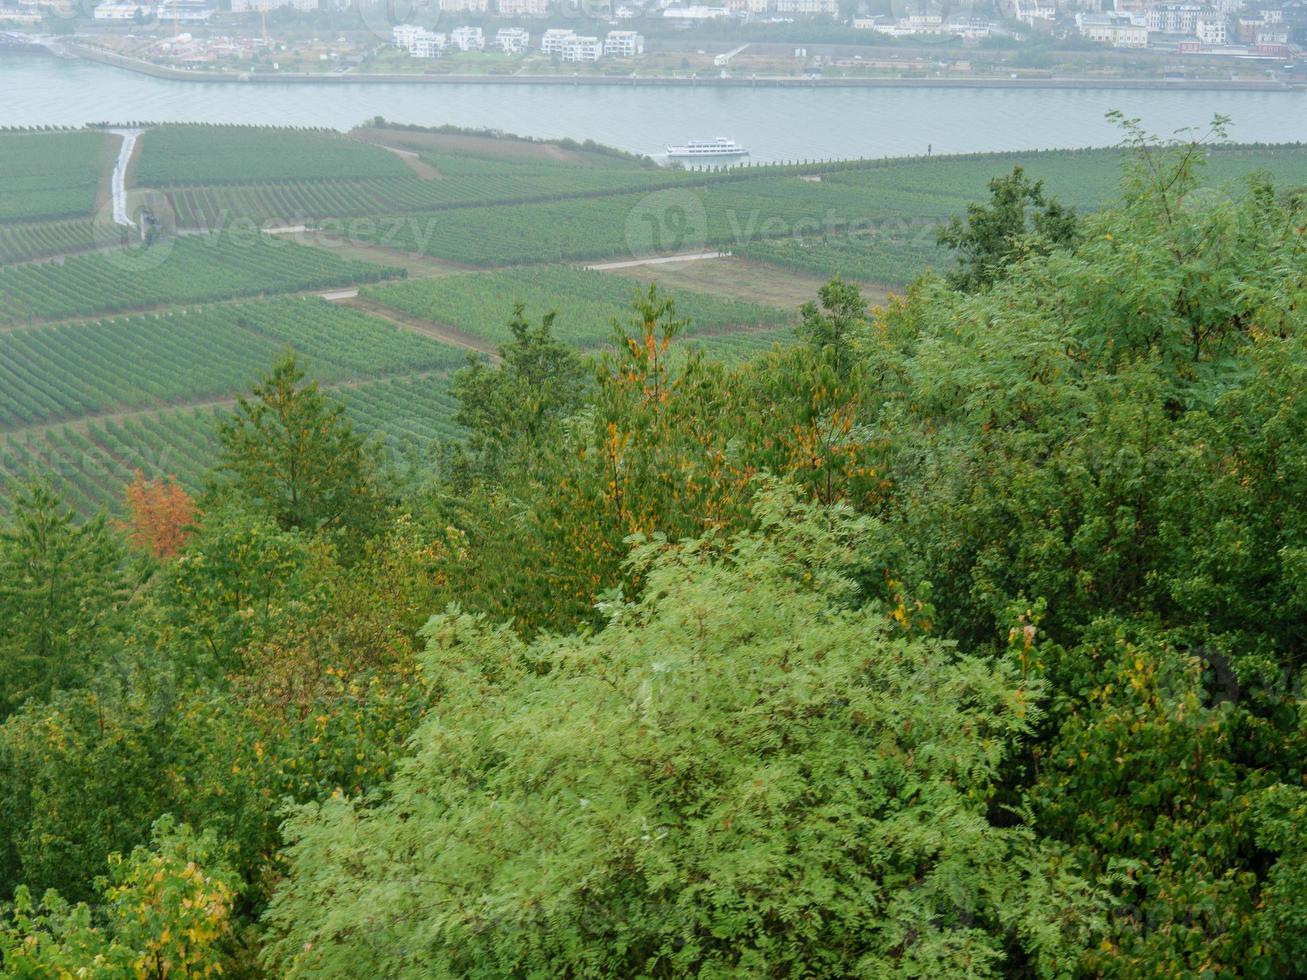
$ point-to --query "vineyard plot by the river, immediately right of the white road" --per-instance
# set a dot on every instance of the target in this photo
(239, 155)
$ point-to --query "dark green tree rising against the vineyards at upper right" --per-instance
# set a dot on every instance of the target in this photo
(1019, 220)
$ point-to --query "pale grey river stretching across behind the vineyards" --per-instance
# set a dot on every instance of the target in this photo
(773, 123)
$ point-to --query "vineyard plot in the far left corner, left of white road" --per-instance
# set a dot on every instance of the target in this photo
(50, 176)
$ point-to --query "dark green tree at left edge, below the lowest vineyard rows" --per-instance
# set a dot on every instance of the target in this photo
(61, 587)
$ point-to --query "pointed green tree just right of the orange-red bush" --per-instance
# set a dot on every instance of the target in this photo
(291, 453)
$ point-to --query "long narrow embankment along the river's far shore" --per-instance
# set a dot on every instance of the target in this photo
(157, 71)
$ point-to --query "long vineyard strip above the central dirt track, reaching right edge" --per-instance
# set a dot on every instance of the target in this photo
(736, 210)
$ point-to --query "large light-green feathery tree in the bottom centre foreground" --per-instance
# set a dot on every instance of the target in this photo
(738, 777)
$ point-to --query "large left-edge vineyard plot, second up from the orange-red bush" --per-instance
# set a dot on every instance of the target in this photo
(49, 374)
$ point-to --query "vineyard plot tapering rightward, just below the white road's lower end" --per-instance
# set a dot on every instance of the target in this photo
(190, 270)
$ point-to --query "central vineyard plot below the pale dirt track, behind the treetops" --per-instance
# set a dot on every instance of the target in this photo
(587, 304)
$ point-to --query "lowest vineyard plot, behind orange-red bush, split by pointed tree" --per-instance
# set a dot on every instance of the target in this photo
(93, 466)
